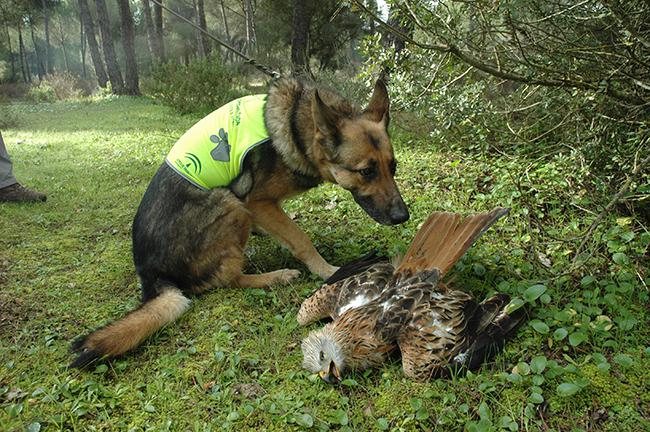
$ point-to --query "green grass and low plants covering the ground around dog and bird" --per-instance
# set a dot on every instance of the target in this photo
(234, 362)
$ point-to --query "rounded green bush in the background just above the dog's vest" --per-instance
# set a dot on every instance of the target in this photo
(201, 87)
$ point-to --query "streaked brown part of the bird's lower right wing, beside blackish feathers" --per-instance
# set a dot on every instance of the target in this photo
(436, 333)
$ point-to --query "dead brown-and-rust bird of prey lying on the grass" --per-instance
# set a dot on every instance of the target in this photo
(436, 328)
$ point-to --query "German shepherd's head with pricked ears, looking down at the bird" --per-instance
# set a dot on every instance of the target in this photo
(355, 152)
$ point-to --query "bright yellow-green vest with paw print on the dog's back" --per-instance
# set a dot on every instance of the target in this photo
(211, 153)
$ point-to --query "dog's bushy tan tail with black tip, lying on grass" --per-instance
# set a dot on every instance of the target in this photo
(127, 333)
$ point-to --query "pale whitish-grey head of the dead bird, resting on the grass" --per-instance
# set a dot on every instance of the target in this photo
(323, 354)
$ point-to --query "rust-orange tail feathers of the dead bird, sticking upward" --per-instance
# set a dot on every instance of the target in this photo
(443, 239)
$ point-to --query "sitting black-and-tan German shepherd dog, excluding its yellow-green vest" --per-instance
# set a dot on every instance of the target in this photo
(187, 240)
